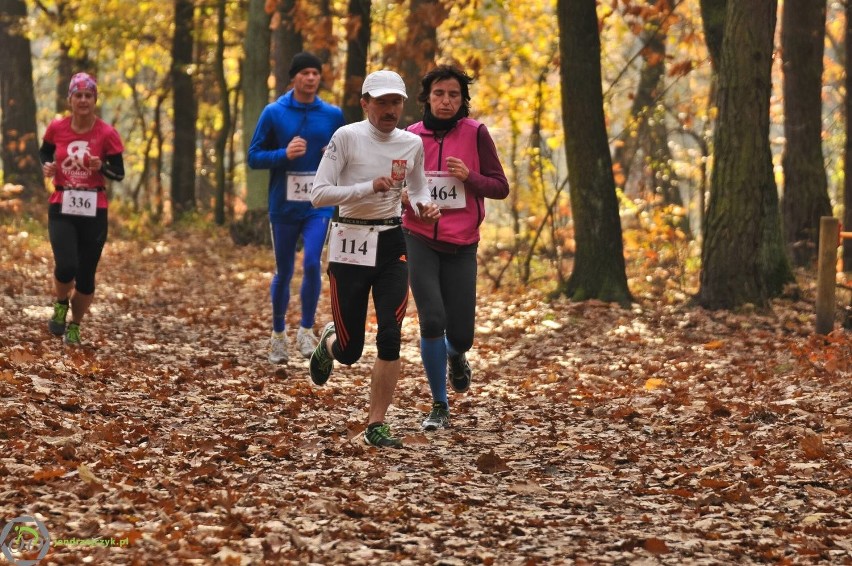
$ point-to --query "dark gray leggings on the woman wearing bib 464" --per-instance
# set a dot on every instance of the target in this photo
(444, 287)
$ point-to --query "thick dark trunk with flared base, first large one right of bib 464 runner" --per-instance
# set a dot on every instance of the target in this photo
(599, 271)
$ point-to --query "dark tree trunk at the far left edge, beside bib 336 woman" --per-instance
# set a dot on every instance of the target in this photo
(18, 127)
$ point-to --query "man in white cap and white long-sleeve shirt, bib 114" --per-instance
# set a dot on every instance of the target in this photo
(363, 171)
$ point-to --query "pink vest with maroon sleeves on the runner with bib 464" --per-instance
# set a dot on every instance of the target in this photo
(470, 141)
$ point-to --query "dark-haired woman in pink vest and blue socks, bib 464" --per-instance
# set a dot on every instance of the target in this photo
(462, 169)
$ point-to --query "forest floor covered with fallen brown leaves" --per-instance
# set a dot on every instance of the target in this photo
(661, 434)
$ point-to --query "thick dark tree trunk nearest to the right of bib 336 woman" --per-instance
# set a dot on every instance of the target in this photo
(185, 111)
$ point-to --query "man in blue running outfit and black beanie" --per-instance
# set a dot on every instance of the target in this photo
(289, 140)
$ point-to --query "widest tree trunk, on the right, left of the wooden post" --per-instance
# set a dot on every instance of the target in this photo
(743, 254)
